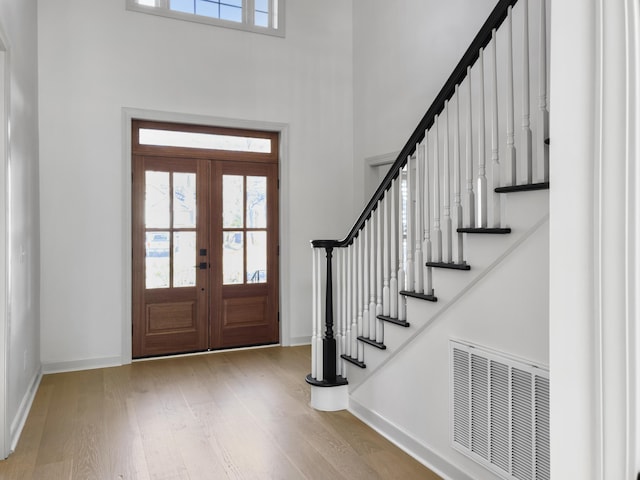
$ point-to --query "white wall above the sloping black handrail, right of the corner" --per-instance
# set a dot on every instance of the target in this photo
(402, 57)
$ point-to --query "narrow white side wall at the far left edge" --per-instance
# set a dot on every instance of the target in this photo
(18, 22)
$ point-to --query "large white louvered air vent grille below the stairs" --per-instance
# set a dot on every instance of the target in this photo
(500, 412)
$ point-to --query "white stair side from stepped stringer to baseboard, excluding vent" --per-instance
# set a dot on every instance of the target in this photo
(407, 398)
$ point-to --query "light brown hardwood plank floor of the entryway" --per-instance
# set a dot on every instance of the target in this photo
(237, 415)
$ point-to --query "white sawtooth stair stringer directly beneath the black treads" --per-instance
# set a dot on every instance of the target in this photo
(526, 212)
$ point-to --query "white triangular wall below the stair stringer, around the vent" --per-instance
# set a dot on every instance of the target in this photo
(406, 396)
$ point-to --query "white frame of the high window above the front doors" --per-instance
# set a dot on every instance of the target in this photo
(276, 16)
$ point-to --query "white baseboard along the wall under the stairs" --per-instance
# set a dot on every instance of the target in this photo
(403, 440)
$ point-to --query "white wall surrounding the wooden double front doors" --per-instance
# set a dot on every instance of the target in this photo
(97, 58)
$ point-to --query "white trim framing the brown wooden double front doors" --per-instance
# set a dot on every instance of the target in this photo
(128, 115)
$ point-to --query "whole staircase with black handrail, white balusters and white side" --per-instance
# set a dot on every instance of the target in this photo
(456, 230)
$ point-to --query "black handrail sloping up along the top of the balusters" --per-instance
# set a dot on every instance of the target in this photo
(481, 40)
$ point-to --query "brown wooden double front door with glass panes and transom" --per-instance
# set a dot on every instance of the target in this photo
(205, 243)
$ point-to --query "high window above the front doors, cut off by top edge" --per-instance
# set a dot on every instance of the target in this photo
(260, 16)
